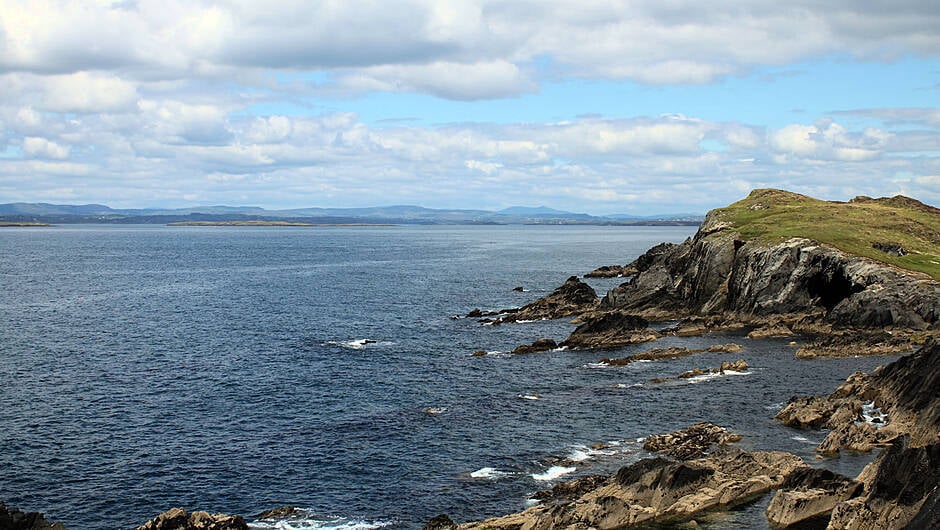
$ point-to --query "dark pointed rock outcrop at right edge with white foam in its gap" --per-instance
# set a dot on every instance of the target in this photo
(905, 390)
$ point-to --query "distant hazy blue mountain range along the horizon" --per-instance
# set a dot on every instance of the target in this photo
(99, 213)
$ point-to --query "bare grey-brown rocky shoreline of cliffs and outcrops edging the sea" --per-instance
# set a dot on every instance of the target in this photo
(837, 304)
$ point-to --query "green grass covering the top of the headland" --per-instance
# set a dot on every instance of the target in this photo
(773, 216)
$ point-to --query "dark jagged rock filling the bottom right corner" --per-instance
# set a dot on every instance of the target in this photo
(901, 491)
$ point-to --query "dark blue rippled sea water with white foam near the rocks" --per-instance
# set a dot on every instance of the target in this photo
(225, 369)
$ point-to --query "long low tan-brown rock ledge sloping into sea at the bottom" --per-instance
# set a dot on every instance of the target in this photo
(661, 490)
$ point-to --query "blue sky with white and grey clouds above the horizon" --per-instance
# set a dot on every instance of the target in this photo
(641, 107)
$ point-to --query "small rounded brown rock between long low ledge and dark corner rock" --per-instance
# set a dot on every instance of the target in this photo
(809, 494)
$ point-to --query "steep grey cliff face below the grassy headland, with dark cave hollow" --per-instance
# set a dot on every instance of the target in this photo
(719, 273)
